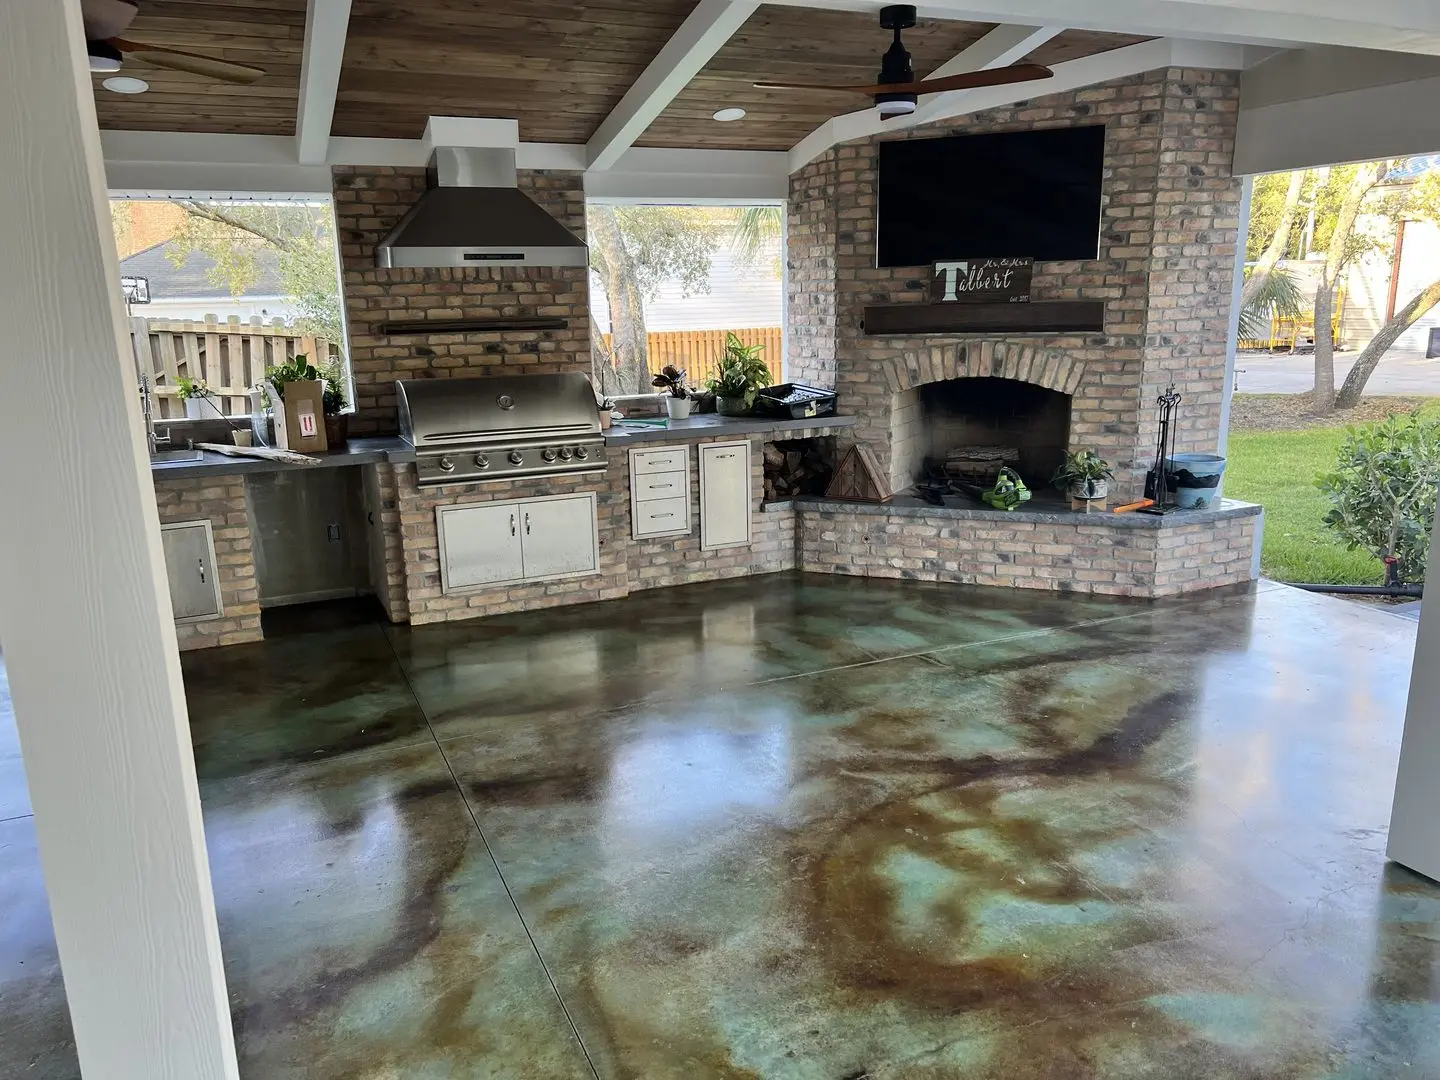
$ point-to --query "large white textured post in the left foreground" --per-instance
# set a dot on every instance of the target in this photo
(84, 607)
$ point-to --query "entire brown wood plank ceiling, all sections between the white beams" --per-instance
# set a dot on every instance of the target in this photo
(558, 67)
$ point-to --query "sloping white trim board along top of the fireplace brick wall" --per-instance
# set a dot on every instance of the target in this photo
(1071, 76)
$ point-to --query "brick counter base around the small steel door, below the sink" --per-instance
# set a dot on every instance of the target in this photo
(221, 502)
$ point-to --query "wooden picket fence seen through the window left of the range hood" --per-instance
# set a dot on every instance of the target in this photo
(230, 356)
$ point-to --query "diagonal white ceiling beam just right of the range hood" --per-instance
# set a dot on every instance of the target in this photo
(708, 28)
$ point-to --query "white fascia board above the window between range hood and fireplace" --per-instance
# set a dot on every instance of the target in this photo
(693, 176)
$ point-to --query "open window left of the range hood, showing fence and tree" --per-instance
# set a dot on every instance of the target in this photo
(220, 290)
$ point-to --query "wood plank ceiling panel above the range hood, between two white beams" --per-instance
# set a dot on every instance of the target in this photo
(558, 67)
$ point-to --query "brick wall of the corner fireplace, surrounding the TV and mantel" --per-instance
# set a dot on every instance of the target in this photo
(1170, 138)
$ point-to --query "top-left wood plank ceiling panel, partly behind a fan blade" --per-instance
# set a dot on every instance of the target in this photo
(261, 34)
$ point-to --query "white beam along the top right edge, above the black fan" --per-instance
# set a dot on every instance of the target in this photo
(1392, 25)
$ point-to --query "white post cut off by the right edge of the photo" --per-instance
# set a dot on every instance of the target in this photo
(1415, 842)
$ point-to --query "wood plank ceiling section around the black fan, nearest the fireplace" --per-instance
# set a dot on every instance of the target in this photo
(806, 45)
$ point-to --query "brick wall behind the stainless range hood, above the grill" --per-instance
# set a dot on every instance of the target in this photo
(369, 201)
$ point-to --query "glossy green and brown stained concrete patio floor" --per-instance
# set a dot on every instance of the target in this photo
(800, 829)
